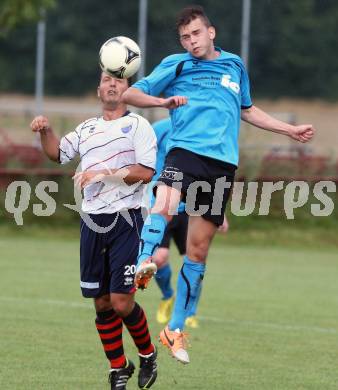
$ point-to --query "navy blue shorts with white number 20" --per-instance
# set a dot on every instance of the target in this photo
(108, 260)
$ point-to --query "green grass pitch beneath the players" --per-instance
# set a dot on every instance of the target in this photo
(268, 320)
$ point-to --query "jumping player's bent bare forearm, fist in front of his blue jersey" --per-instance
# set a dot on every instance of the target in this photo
(137, 98)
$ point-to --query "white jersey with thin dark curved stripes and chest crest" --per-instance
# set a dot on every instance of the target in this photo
(111, 144)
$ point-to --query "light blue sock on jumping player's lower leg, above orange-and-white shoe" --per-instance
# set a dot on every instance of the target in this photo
(188, 288)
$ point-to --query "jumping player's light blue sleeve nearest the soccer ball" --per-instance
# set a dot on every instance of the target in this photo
(159, 79)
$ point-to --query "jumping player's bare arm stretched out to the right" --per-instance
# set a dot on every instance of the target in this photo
(259, 118)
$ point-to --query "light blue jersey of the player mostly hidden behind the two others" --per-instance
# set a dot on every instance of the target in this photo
(163, 130)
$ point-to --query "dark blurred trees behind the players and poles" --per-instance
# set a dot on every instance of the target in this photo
(293, 43)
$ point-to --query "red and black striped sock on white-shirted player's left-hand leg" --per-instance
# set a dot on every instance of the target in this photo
(109, 325)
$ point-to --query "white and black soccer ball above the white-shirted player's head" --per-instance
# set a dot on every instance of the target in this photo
(120, 57)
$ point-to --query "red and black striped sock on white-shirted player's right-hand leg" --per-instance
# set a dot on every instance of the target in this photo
(136, 323)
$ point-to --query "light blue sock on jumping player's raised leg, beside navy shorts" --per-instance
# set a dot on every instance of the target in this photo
(151, 236)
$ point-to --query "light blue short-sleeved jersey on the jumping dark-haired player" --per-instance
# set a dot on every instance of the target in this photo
(217, 90)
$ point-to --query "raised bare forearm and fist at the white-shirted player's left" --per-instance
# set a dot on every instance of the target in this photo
(49, 141)
